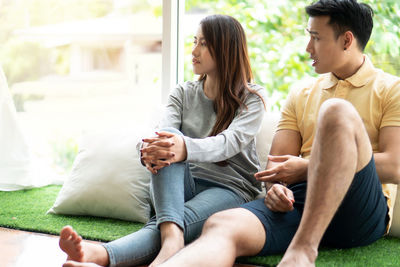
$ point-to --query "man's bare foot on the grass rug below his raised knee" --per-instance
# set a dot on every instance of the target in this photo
(298, 258)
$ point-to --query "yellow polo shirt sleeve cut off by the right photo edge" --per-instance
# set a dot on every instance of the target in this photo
(391, 107)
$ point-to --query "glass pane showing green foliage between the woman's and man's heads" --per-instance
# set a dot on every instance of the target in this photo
(275, 38)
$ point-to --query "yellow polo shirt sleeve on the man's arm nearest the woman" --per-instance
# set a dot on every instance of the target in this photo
(288, 119)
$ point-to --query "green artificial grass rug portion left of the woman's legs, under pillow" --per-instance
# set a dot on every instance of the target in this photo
(26, 210)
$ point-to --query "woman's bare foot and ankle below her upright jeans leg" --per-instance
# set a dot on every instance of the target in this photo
(171, 242)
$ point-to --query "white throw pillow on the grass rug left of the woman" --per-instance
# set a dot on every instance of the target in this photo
(107, 180)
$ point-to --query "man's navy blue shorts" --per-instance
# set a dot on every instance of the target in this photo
(360, 220)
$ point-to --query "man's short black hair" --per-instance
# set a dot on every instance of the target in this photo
(346, 15)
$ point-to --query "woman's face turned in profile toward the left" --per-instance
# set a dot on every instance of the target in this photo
(202, 61)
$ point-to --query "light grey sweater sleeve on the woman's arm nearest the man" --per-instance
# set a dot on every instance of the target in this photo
(232, 140)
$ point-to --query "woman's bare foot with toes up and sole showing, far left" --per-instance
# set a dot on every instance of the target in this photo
(80, 251)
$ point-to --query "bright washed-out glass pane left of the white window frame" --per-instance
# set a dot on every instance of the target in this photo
(80, 66)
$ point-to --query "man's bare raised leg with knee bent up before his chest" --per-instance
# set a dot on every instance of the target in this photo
(341, 148)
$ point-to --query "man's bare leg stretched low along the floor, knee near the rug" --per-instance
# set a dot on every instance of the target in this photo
(226, 235)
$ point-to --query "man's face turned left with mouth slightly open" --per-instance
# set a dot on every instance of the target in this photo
(325, 50)
